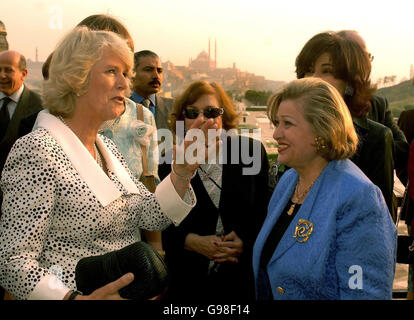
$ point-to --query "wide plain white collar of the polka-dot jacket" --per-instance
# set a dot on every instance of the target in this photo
(104, 188)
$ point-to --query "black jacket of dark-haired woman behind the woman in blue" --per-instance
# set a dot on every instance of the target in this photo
(375, 156)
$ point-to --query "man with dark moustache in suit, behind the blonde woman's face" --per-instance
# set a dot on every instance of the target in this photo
(147, 84)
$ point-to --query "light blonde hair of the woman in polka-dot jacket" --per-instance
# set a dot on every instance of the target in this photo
(72, 61)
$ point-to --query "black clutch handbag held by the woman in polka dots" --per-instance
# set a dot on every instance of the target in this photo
(149, 269)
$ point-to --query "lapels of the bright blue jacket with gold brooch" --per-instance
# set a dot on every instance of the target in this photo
(305, 212)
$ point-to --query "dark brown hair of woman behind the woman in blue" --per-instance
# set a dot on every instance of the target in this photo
(350, 63)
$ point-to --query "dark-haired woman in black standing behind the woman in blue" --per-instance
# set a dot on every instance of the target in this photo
(344, 64)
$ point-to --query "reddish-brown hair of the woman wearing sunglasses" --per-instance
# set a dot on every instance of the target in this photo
(194, 92)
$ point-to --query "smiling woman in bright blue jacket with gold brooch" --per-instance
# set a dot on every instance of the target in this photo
(328, 233)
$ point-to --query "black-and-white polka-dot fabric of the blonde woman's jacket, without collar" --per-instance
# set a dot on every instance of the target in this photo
(51, 219)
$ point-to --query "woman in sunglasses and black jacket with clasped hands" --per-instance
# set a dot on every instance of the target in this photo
(209, 255)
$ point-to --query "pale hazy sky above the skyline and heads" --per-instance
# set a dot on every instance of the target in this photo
(260, 36)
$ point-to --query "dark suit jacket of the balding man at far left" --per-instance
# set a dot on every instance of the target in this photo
(29, 104)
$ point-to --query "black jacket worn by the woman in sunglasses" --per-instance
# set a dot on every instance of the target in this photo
(243, 206)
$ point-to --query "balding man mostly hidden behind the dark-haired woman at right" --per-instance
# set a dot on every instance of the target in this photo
(380, 112)
